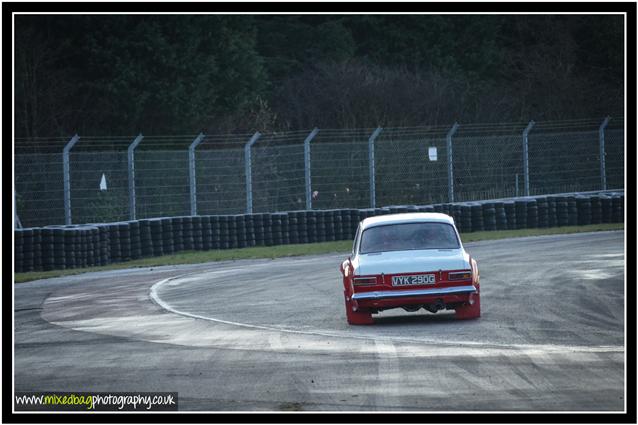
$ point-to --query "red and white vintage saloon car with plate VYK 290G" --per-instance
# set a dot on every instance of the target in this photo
(412, 261)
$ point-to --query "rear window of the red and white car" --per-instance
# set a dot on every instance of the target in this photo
(408, 236)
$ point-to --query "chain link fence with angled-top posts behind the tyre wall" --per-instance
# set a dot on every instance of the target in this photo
(114, 179)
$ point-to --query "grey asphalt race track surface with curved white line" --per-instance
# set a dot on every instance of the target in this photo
(257, 335)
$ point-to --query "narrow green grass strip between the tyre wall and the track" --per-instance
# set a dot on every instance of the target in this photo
(194, 257)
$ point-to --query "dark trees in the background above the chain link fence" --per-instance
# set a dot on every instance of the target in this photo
(181, 74)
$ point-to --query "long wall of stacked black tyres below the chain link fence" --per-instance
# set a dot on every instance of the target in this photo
(95, 244)
